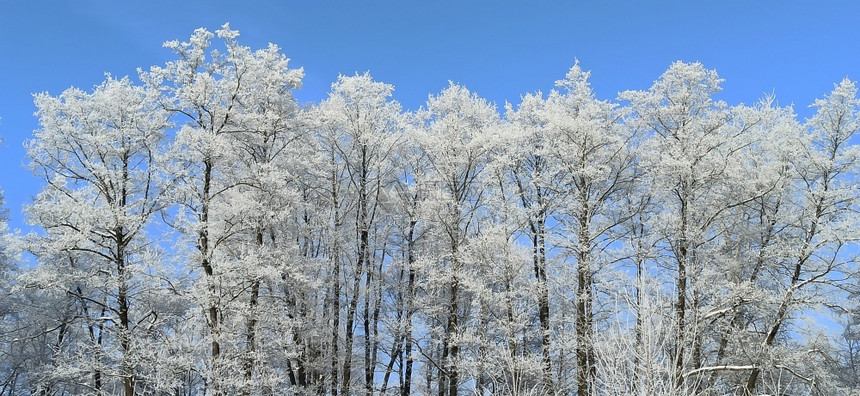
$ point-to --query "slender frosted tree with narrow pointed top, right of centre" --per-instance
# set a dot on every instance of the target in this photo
(592, 150)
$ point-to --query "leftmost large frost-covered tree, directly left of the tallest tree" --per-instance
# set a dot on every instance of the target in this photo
(99, 156)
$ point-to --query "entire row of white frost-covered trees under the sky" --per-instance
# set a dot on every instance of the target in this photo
(202, 233)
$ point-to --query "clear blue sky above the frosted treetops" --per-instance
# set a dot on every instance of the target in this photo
(499, 49)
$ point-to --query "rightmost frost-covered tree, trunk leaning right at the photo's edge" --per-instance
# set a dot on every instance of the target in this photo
(816, 245)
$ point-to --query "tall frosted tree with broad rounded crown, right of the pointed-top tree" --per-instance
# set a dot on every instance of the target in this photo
(693, 166)
